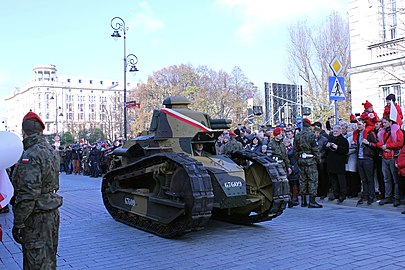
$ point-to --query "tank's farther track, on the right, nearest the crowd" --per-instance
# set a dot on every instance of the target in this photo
(280, 189)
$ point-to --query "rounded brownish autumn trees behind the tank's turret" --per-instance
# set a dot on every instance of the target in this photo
(217, 93)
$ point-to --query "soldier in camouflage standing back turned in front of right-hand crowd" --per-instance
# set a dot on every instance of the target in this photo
(306, 150)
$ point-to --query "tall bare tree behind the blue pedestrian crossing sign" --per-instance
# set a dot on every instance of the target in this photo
(311, 49)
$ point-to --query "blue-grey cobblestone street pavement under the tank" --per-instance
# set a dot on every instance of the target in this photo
(334, 237)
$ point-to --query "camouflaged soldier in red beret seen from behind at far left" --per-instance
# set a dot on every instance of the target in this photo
(36, 181)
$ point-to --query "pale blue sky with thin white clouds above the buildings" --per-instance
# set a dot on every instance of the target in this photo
(75, 36)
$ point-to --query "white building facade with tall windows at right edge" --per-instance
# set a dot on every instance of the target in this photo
(377, 47)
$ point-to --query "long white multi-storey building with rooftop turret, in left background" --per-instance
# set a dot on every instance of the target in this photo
(67, 103)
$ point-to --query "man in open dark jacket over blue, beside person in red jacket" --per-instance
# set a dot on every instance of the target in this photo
(365, 151)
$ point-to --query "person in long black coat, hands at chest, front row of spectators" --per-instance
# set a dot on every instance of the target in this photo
(337, 148)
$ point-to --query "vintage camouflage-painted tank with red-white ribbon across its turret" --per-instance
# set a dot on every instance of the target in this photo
(164, 188)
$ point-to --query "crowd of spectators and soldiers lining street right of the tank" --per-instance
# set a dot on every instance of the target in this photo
(361, 158)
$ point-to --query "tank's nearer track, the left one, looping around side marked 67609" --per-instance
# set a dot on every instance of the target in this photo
(201, 189)
